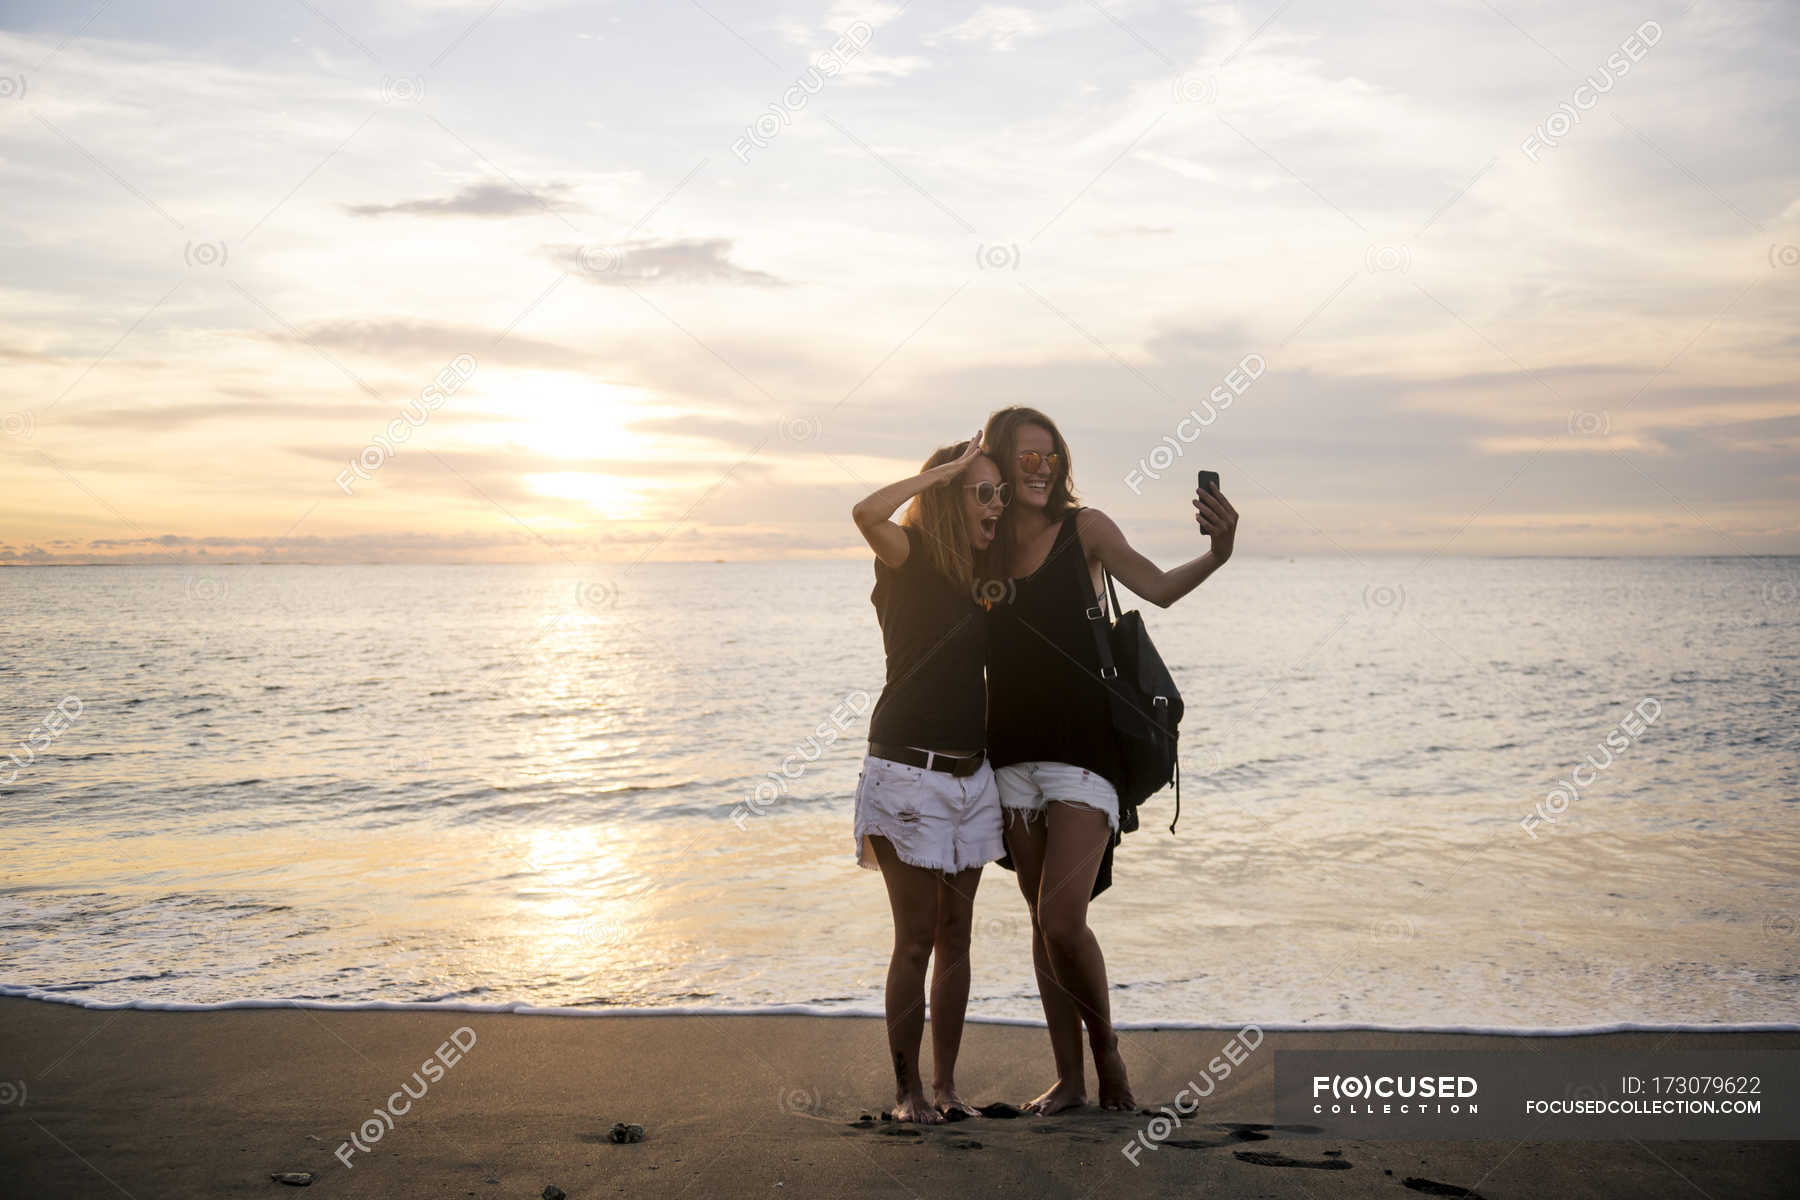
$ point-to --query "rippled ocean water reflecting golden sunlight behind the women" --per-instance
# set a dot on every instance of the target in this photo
(1518, 794)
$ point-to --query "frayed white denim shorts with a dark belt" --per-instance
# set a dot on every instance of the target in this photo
(933, 819)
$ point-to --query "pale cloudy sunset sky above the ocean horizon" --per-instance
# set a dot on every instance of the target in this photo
(535, 282)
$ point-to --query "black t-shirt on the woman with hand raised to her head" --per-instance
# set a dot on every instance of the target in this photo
(937, 645)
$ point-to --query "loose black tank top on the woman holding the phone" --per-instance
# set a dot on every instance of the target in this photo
(1045, 694)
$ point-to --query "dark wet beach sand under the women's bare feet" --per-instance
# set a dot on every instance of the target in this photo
(147, 1106)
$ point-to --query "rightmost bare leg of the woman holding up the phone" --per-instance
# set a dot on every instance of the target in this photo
(1075, 845)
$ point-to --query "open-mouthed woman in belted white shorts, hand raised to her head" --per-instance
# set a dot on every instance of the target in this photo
(928, 810)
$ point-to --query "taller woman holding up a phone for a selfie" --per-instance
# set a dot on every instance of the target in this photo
(1050, 731)
